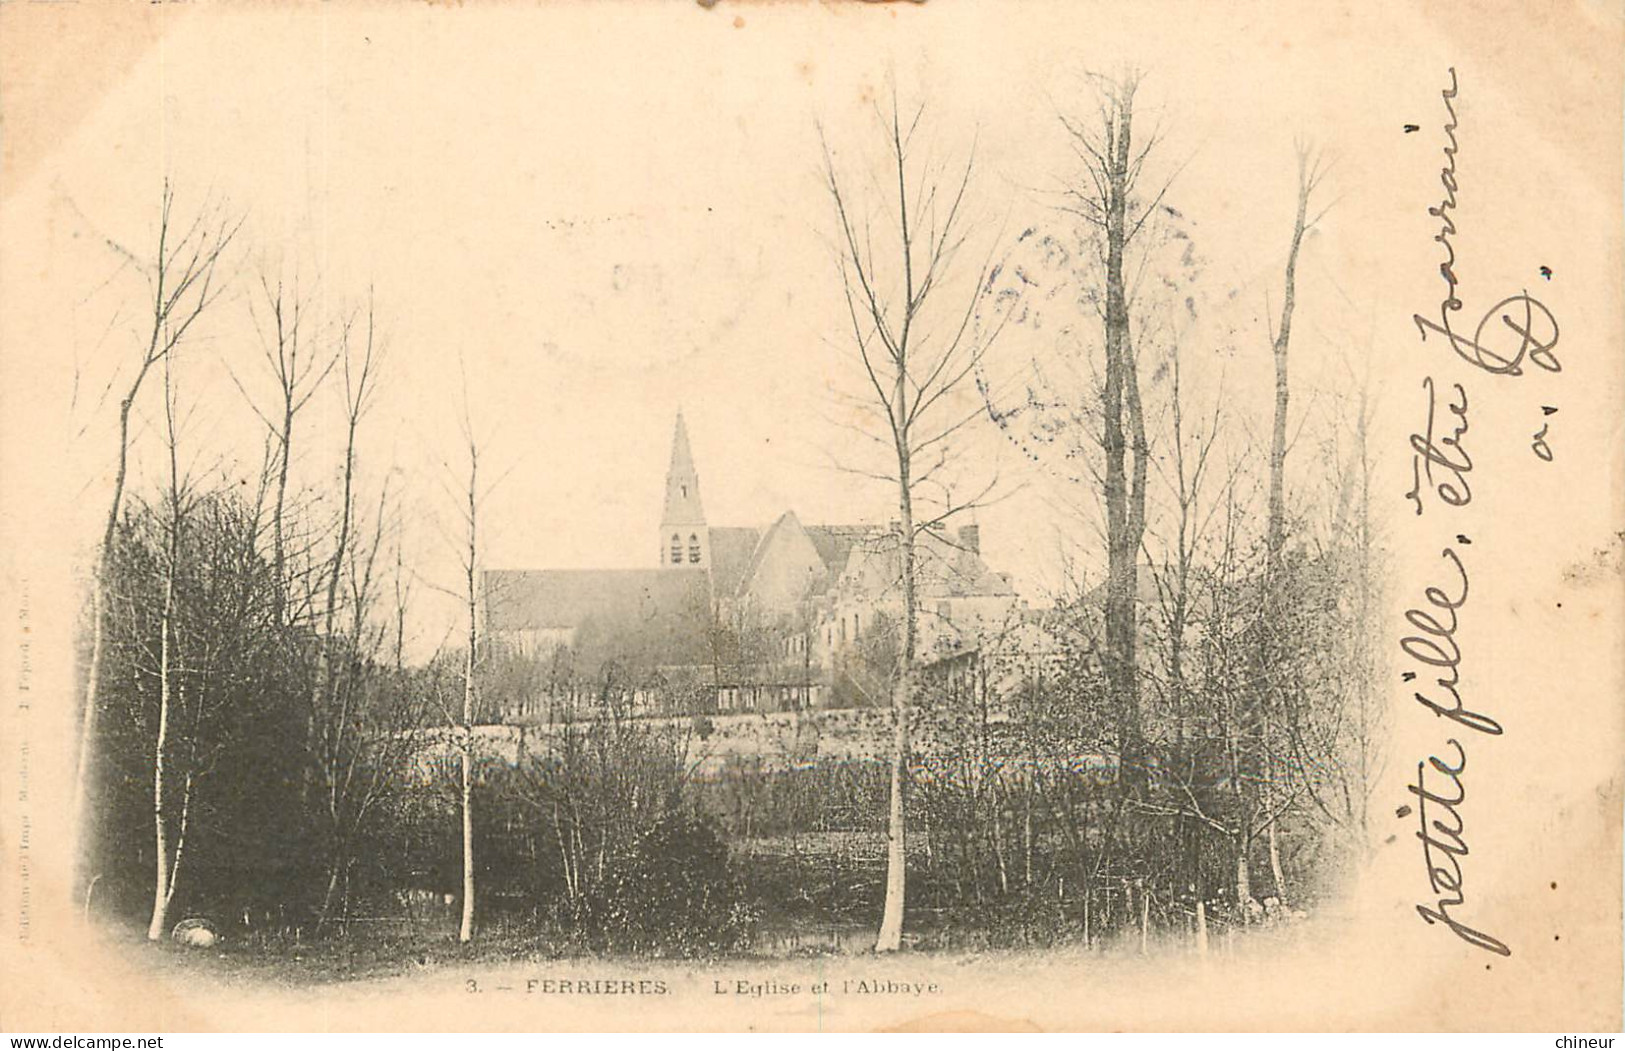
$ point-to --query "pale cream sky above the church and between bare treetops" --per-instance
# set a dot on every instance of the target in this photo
(600, 215)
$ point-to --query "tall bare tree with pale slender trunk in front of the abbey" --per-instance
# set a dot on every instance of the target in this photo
(917, 352)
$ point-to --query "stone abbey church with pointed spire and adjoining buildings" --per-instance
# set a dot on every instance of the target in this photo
(750, 618)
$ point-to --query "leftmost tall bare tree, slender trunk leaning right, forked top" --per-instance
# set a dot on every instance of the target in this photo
(183, 287)
